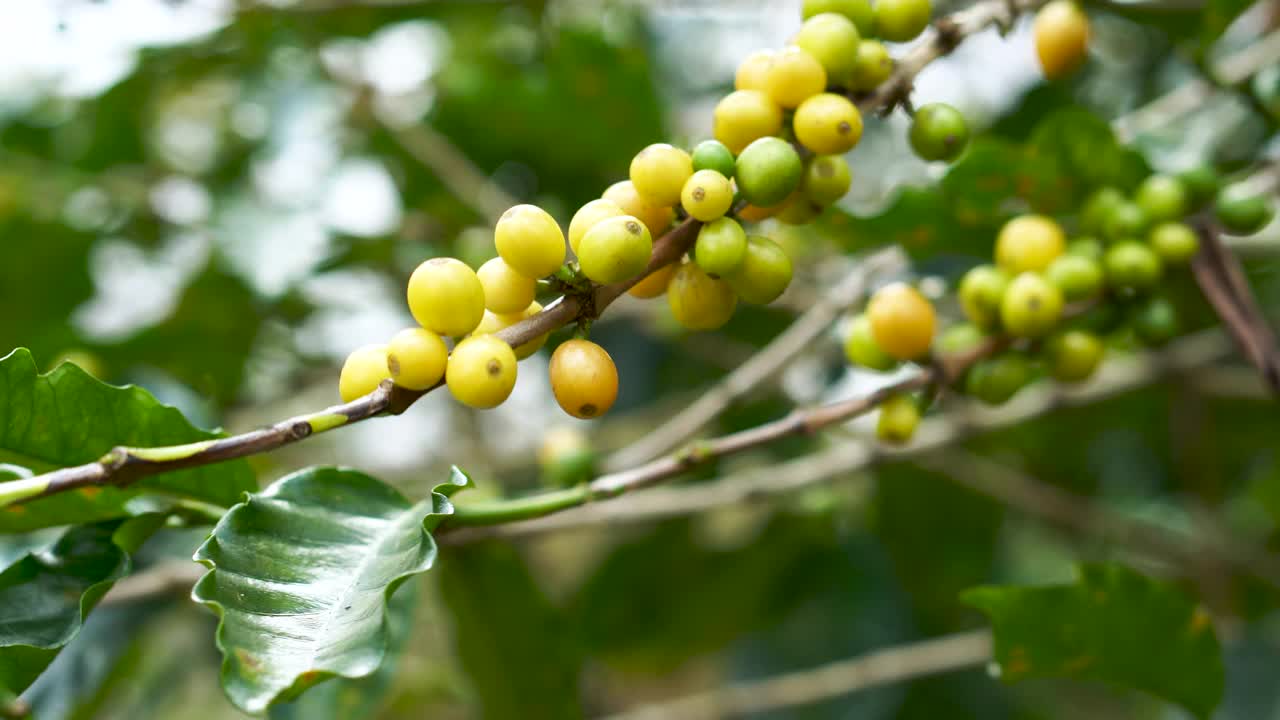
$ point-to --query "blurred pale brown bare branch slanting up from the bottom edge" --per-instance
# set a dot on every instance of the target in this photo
(880, 668)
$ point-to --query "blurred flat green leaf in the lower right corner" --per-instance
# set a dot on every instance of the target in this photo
(1113, 626)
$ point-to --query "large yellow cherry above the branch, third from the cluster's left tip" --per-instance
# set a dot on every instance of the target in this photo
(446, 297)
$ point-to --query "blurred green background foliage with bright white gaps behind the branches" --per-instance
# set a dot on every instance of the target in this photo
(220, 199)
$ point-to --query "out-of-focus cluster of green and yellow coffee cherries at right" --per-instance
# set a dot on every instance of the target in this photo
(1058, 299)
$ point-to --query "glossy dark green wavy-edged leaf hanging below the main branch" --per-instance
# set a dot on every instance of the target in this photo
(301, 575)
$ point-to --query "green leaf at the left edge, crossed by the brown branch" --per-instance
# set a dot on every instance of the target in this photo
(70, 418)
